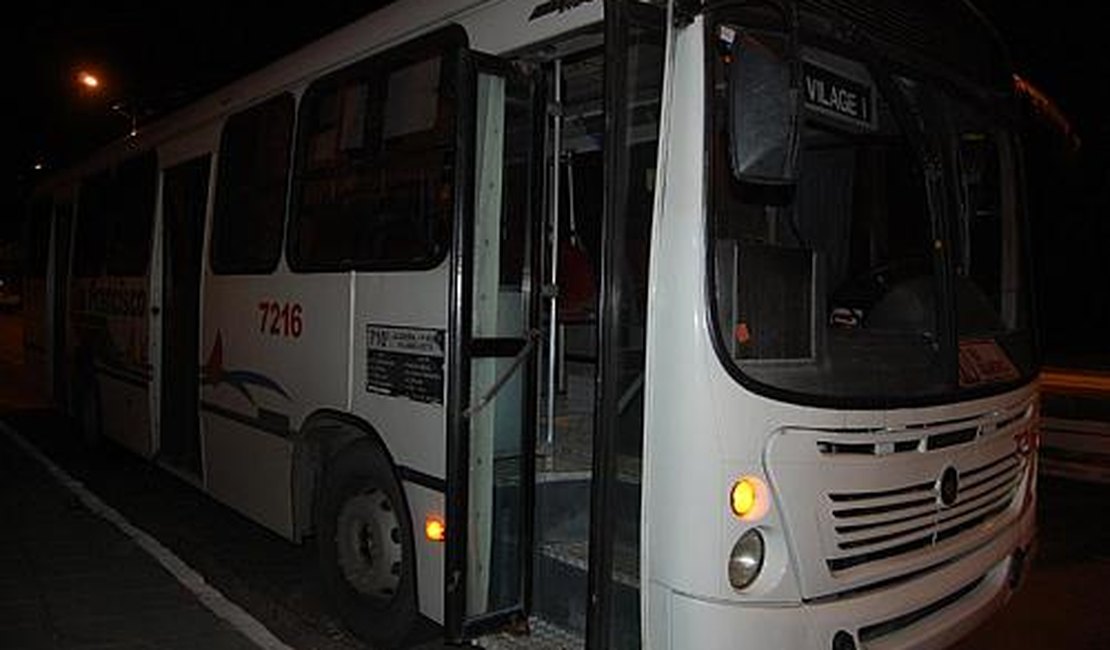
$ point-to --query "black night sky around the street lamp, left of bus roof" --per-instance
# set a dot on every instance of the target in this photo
(150, 59)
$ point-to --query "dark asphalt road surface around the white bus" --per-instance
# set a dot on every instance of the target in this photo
(1062, 605)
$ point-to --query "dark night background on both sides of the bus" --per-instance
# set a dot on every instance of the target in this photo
(155, 58)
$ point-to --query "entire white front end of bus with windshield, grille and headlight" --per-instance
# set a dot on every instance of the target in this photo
(842, 397)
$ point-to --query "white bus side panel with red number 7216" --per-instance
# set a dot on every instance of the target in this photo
(275, 349)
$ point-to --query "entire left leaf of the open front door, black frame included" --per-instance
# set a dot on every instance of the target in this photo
(495, 324)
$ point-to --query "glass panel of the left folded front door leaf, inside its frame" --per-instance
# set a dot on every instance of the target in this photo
(499, 417)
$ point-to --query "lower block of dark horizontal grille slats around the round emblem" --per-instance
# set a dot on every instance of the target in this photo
(870, 526)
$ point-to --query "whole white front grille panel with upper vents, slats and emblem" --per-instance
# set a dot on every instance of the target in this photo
(885, 497)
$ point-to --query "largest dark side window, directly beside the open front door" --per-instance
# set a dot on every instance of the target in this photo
(374, 185)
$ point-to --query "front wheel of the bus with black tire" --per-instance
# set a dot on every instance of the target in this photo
(366, 546)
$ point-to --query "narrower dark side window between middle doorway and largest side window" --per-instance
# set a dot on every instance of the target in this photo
(250, 198)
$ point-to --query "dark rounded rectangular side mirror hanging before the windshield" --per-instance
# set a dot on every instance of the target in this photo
(763, 109)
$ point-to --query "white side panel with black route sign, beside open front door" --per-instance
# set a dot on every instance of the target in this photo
(399, 381)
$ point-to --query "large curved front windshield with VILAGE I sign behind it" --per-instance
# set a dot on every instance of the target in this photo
(876, 277)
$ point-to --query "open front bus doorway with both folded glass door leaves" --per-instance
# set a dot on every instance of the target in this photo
(561, 547)
